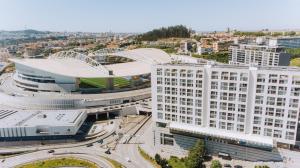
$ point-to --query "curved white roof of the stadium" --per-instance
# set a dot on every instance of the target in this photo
(82, 66)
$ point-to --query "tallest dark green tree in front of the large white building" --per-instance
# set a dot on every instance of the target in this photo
(195, 156)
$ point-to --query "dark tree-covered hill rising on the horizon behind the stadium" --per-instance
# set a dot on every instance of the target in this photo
(179, 31)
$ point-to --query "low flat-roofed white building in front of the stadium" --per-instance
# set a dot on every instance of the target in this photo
(32, 125)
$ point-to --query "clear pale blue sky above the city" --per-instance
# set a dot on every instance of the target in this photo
(144, 15)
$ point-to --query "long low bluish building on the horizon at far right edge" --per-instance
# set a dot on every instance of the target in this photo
(286, 42)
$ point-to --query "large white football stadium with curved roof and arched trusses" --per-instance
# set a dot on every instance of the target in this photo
(101, 81)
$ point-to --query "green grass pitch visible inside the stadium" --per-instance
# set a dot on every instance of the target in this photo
(101, 82)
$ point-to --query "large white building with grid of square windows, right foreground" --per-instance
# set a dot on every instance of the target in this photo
(233, 108)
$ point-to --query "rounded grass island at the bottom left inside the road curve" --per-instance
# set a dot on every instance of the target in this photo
(60, 162)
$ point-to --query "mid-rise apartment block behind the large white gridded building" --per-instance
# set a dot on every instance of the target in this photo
(258, 54)
